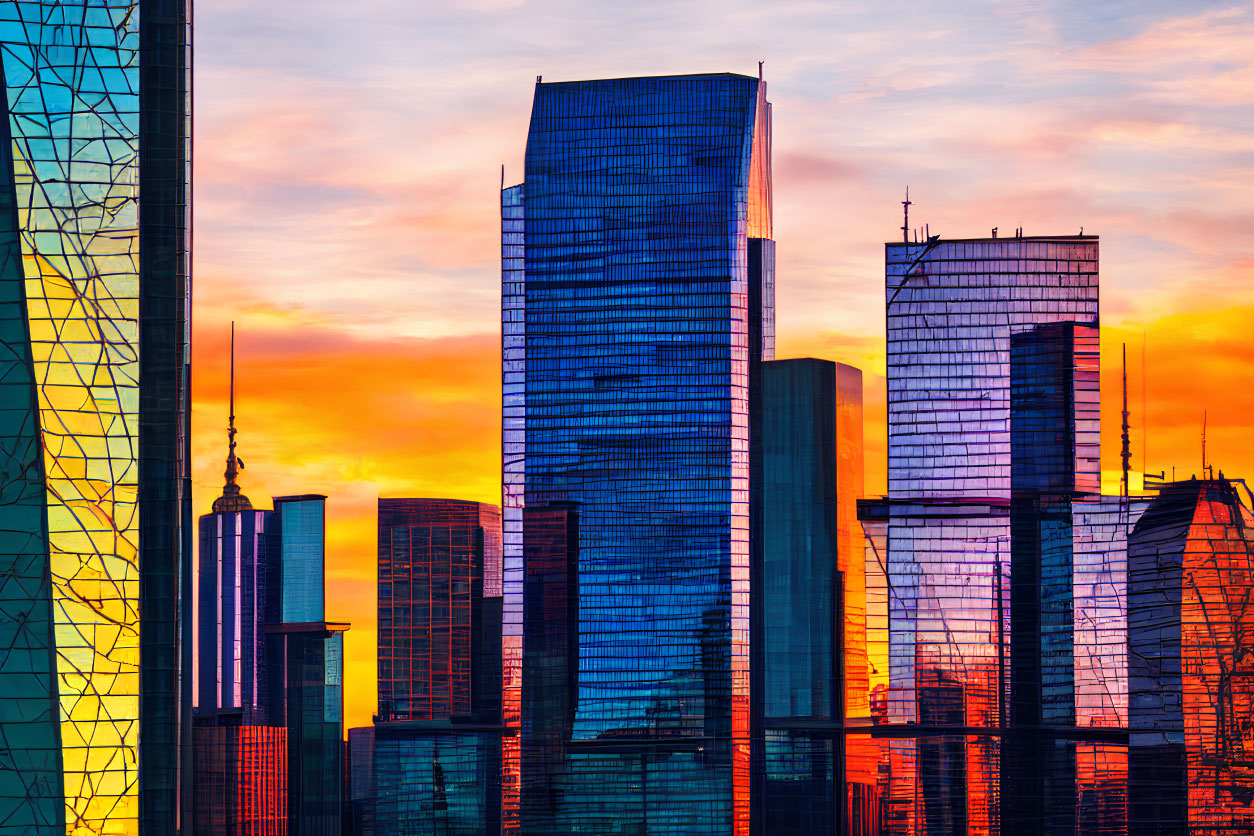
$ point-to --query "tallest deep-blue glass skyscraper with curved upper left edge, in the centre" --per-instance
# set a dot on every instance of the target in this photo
(638, 303)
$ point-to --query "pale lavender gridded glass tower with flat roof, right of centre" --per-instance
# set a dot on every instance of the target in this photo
(962, 316)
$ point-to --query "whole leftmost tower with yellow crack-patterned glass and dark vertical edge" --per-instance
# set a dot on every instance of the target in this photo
(95, 295)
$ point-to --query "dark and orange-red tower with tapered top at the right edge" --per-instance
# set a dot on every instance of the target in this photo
(1191, 593)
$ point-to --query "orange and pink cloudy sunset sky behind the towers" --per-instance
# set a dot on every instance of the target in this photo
(348, 164)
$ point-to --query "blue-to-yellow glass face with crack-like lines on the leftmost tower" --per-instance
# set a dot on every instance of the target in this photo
(72, 83)
